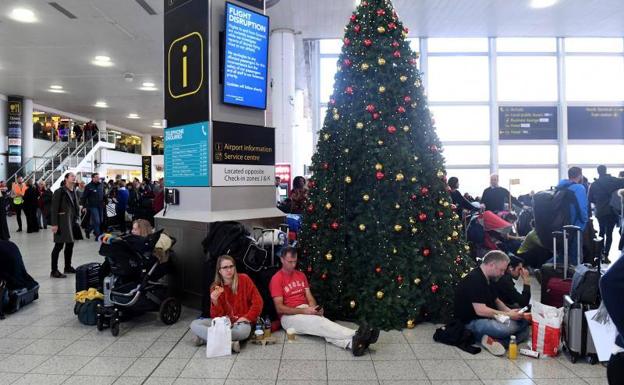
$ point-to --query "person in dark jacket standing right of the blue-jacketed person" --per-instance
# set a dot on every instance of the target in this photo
(600, 195)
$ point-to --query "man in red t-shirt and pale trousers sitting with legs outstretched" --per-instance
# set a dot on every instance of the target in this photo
(298, 309)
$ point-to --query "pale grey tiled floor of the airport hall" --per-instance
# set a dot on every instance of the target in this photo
(45, 344)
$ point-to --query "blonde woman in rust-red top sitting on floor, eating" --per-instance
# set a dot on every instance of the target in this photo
(233, 295)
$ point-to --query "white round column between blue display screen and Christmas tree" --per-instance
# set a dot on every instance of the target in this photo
(282, 59)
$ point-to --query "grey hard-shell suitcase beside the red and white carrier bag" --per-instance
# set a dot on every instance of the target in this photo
(576, 336)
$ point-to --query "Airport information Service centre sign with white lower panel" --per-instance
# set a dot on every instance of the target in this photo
(243, 155)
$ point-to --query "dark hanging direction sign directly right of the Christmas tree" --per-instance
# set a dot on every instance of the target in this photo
(527, 123)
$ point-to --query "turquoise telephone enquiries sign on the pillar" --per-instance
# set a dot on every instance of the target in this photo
(187, 155)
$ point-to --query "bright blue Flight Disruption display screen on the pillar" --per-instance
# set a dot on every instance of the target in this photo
(246, 57)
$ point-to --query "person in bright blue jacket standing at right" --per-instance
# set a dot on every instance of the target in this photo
(579, 209)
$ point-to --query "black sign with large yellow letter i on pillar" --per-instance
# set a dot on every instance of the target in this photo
(186, 62)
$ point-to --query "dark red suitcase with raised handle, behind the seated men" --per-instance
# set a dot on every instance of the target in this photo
(557, 281)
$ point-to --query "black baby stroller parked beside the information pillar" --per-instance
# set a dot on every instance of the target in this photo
(134, 285)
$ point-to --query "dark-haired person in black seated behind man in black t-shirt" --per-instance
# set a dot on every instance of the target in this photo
(506, 287)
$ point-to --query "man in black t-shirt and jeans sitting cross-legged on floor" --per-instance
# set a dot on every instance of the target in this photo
(484, 314)
